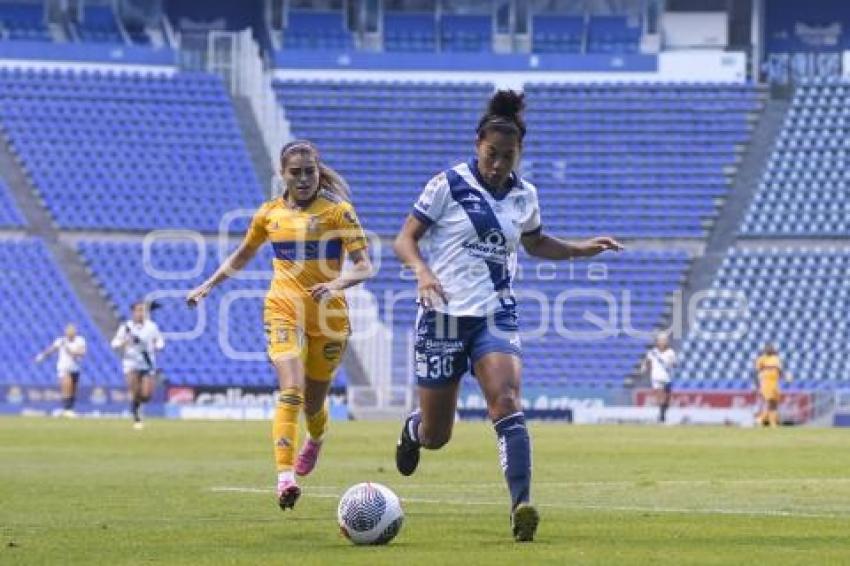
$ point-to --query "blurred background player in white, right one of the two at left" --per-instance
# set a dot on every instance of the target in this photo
(140, 339)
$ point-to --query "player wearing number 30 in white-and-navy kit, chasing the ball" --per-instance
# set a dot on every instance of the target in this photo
(477, 214)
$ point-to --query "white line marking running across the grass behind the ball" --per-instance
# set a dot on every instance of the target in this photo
(628, 508)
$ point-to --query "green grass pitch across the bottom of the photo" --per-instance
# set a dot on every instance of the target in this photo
(97, 492)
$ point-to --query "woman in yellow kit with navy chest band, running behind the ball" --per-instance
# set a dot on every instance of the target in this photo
(305, 312)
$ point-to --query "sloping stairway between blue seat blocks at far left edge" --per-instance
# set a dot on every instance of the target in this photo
(40, 224)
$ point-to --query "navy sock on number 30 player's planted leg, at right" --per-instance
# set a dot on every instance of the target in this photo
(515, 456)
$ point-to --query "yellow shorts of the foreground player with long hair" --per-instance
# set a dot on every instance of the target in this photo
(321, 355)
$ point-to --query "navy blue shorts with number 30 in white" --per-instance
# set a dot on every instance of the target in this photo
(447, 346)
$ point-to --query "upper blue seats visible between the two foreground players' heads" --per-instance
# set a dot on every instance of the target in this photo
(388, 139)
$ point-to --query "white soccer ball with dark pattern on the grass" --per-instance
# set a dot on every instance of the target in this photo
(370, 513)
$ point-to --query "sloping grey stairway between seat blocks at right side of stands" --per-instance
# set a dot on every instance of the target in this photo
(724, 232)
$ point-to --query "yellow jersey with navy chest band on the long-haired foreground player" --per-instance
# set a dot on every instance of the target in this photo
(308, 244)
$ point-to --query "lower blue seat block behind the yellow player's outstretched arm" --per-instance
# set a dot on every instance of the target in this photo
(234, 317)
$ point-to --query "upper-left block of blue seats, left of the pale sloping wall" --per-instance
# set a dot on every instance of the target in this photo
(131, 150)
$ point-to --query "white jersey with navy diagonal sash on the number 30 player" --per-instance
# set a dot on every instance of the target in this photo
(474, 236)
